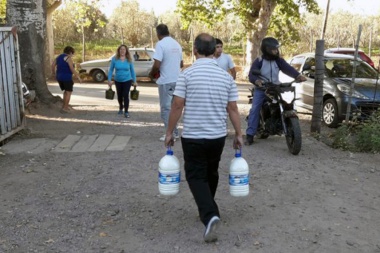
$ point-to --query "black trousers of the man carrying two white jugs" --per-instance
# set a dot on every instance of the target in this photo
(202, 158)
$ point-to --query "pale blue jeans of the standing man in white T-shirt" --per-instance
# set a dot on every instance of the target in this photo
(165, 93)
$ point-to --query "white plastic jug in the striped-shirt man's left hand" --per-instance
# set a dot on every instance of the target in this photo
(169, 174)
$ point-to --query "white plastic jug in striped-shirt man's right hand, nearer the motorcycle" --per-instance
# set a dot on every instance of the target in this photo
(239, 176)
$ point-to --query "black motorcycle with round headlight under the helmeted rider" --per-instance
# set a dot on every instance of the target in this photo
(278, 116)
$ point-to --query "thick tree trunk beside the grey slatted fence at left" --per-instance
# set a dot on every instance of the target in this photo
(30, 19)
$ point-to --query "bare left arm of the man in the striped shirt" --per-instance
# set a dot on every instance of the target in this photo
(174, 116)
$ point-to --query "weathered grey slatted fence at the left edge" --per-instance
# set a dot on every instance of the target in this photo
(12, 116)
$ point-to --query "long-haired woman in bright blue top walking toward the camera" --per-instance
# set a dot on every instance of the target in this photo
(124, 77)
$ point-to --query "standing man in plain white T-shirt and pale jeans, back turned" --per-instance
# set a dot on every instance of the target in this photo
(167, 65)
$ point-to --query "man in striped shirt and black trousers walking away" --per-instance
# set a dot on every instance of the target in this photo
(208, 94)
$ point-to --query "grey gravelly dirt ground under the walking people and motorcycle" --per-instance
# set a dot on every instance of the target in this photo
(322, 200)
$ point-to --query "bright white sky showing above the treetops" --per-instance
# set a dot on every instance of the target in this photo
(367, 7)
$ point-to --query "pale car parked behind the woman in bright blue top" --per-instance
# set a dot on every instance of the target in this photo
(142, 62)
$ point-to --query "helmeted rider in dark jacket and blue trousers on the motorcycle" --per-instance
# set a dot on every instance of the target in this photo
(270, 64)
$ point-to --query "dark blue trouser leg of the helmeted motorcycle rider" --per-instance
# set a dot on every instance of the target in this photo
(254, 113)
